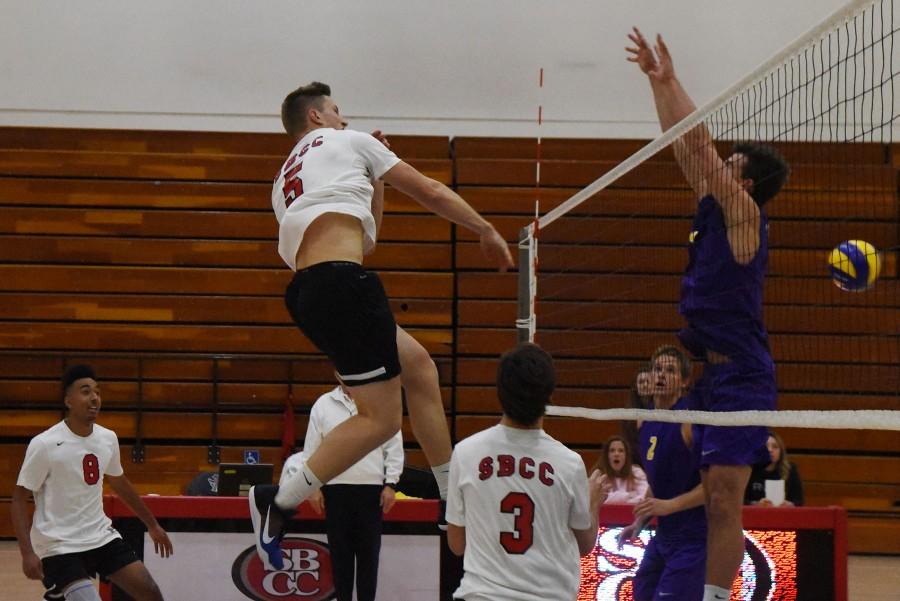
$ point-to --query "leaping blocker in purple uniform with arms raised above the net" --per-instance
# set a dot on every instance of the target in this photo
(721, 299)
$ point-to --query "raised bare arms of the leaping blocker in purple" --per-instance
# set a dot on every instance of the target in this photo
(696, 152)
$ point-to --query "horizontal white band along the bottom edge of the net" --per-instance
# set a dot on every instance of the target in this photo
(870, 419)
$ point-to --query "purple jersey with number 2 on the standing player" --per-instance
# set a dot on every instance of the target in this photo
(672, 470)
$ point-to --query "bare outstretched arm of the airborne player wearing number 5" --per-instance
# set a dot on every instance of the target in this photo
(446, 203)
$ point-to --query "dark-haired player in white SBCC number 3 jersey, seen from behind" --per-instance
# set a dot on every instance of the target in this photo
(521, 508)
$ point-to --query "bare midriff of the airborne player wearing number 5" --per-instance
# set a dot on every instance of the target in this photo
(331, 237)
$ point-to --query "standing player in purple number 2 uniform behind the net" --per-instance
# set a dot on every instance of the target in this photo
(674, 562)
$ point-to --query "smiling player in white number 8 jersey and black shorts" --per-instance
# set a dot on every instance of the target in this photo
(70, 539)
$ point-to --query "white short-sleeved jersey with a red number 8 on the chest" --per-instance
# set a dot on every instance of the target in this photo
(65, 473)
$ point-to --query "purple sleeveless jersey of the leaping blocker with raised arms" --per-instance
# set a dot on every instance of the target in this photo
(720, 298)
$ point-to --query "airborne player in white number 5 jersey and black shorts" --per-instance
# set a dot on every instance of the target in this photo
(328, 199)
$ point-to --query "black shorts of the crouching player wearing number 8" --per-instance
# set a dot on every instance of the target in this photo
(62, 570)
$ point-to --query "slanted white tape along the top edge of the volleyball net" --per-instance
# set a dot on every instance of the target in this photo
(676, 131)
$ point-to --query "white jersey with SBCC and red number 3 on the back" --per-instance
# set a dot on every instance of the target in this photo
(519, 494)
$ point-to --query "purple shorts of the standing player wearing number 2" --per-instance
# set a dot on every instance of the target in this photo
(671, 570)
